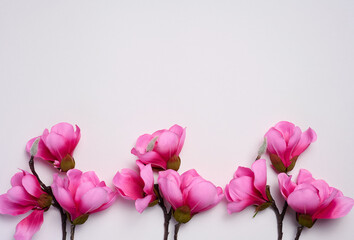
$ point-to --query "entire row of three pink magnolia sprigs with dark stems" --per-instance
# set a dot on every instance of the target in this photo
(79, 194)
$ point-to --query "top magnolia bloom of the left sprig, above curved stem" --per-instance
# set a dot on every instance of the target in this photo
(57, 146)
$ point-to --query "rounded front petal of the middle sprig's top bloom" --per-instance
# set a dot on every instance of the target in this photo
(167, 144)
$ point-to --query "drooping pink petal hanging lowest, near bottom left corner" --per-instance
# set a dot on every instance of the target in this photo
(29, 225)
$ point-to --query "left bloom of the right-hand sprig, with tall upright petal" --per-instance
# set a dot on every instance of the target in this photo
(248, 187)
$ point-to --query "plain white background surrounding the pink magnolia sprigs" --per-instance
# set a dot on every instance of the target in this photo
(227, 70)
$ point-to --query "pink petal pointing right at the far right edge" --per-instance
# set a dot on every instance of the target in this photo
(339, 207)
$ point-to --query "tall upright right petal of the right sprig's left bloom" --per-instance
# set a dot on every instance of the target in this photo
(260, 176)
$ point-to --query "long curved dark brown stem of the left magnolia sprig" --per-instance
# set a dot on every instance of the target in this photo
(49, 191)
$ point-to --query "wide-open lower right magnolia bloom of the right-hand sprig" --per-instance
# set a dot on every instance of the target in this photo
(313, 197)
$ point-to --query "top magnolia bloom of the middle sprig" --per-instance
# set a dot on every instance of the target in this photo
(162, 148)
